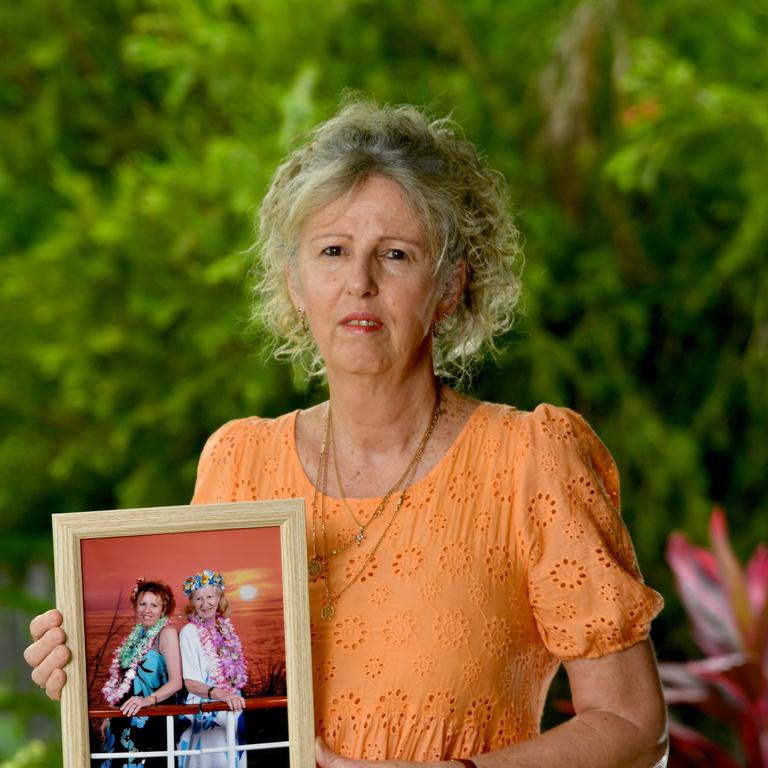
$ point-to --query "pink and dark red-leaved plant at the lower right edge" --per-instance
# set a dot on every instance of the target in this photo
(728, 608)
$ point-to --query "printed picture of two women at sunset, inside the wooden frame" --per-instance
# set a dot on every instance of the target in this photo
(207, 644)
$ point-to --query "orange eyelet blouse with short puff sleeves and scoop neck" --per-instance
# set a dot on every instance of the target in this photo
(508, 557)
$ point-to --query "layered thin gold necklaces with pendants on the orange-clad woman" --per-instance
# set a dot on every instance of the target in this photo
(319, 564)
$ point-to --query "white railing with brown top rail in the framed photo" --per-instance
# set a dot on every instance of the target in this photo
(170, 711)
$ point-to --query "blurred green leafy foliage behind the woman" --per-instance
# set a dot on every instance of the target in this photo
(139, 135)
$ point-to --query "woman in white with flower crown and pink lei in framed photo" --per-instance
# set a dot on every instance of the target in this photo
(214, 669)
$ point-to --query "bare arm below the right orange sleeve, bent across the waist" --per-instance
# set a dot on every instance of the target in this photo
(620, 721)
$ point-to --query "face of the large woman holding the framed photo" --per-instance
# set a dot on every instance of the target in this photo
(365, 281)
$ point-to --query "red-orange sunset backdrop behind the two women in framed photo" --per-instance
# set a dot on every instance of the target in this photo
(248, 559)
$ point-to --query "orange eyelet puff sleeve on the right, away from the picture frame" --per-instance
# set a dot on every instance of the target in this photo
(585, 588)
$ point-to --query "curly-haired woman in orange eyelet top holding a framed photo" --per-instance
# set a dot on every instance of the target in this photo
(459, 551)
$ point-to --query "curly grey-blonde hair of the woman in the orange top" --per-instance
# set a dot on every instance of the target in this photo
(460, 202)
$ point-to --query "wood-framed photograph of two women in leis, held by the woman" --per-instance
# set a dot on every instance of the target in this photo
(209, 597)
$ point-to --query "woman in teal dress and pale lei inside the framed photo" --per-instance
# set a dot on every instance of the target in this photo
(145, 670)
